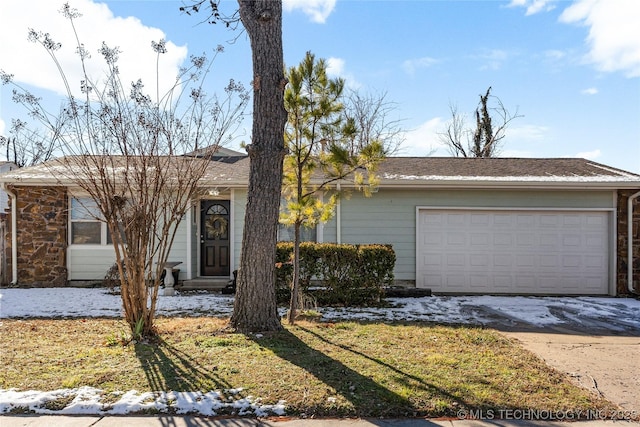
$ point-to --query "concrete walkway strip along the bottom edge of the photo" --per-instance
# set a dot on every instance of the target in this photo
(179, 421)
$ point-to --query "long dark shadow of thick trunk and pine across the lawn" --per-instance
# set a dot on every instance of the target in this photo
(366, 396)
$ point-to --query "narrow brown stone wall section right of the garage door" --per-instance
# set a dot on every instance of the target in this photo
(623, 242)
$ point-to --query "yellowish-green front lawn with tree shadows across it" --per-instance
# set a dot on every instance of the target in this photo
(320, 369)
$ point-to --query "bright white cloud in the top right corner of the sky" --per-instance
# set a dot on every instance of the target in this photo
(614, 33)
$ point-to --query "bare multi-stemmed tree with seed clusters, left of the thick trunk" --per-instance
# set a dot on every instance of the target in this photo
(127, 150)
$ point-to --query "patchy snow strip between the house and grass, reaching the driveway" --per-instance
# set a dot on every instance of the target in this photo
(474, 310)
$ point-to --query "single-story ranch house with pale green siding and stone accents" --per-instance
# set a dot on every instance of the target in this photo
(457, 225)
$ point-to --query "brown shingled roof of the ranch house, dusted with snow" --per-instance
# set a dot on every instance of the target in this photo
(233, 170)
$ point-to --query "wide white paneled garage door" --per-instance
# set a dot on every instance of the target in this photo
(527, 252)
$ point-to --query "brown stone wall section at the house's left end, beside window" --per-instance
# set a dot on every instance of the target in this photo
(42, 236)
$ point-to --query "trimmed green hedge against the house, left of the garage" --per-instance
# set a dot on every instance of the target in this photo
(348, 275)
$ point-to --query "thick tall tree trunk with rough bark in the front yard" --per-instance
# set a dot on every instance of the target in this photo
(255, 305)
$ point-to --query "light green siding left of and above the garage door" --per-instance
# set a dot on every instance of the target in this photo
(388, 217)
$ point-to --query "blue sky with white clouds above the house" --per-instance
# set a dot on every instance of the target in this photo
(571, 68)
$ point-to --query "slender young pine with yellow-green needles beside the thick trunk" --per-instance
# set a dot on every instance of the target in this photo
(318, 136)
